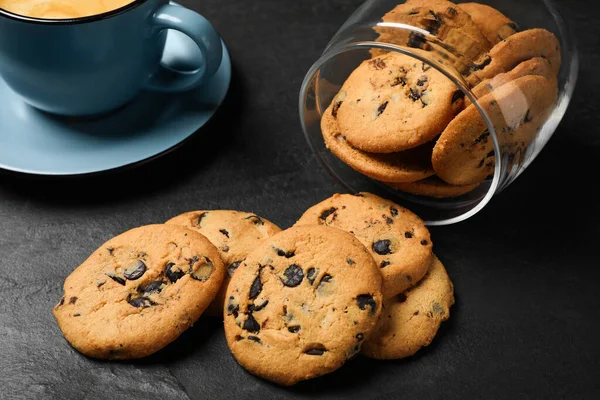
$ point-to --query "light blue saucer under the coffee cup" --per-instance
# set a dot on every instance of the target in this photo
(34, 142)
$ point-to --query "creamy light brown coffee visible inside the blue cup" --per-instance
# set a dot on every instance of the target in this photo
(61, 9)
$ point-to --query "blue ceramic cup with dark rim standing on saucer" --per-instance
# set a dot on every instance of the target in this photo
(92, 65)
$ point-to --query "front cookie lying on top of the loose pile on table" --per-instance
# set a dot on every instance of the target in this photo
(302, 304)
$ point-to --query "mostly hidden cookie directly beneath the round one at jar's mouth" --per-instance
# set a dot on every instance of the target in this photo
(406, 166)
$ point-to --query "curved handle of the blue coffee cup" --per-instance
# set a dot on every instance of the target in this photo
(201, 31)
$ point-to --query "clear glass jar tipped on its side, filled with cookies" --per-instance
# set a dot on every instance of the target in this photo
(445, 88)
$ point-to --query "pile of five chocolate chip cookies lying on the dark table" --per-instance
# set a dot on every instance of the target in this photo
(355, 274)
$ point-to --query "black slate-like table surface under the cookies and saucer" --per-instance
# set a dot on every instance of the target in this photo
(526, 275)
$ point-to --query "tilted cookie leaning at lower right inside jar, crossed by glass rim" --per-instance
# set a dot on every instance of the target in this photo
(464, 153)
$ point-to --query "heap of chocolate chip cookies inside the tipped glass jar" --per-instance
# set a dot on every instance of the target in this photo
(402, 122)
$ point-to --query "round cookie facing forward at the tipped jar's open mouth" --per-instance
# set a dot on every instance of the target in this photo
(393, 103)
